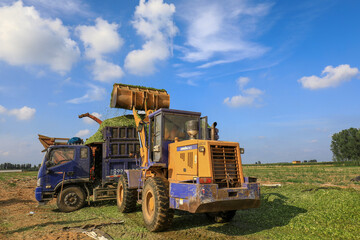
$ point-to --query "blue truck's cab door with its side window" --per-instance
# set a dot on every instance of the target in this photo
(59, 161)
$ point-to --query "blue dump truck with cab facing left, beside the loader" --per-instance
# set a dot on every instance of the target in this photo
(72, 173)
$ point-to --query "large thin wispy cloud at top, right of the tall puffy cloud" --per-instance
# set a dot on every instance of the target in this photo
(219, 31)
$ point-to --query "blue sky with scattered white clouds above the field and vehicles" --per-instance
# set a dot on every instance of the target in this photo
(279, 77)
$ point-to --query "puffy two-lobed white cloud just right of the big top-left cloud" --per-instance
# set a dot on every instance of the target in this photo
(99, 40)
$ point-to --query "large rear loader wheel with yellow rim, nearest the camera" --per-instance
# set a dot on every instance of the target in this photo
(155, 204)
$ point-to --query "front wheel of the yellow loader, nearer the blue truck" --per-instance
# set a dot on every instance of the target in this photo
(126, 198)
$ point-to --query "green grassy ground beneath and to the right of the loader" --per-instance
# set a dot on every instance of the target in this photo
(314, 202)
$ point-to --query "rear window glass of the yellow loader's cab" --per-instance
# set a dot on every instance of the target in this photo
(175, 126)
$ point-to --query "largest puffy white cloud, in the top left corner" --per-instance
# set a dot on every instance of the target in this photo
(28, 39)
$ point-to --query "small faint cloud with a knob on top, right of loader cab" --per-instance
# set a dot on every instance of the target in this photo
(248, 97)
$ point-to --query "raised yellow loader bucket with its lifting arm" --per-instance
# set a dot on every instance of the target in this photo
(137, 98)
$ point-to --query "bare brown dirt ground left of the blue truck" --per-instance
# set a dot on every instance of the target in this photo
(17, 203)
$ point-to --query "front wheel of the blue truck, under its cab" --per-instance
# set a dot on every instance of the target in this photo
(71, 199)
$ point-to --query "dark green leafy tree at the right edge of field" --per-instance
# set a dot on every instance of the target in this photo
(345, 145)
